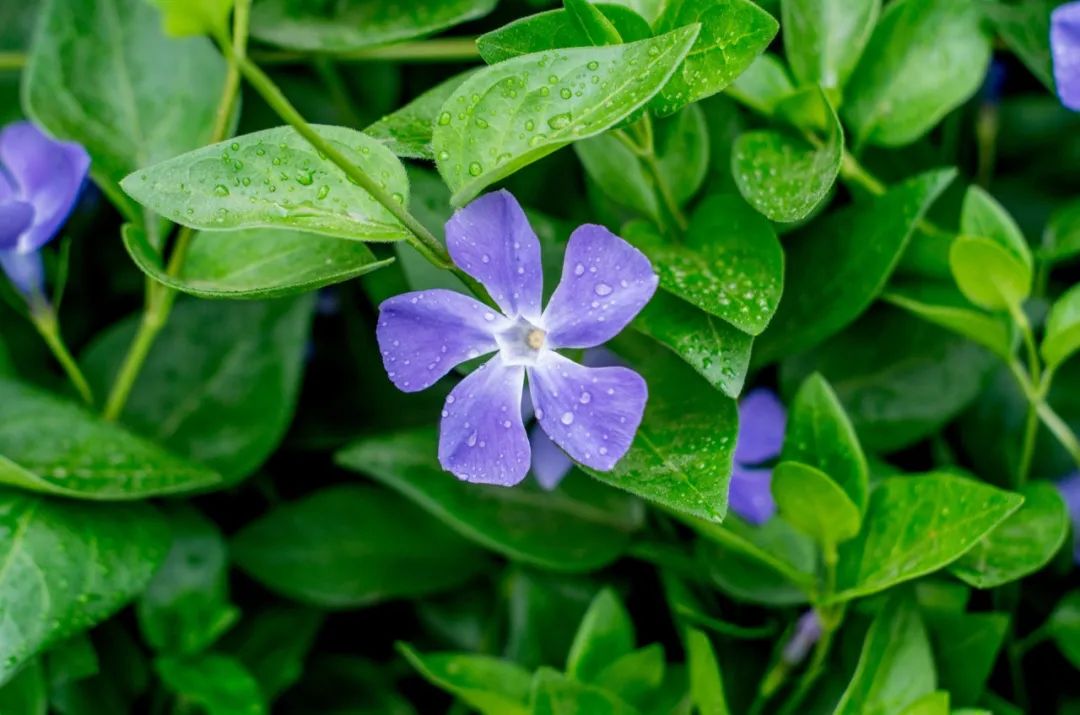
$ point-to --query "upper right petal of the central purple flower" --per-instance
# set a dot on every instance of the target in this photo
(605, 285)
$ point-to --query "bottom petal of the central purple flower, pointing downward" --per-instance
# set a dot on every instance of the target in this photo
(482, 438)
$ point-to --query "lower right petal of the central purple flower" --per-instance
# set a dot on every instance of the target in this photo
(591, 413)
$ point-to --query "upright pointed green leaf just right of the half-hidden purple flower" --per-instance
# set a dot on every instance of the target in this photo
(820, 436)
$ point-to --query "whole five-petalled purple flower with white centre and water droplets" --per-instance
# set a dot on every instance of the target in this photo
(591, 413)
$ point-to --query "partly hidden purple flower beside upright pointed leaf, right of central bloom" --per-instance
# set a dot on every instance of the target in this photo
(762, 421)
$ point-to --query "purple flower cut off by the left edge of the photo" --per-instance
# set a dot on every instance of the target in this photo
(40, 182)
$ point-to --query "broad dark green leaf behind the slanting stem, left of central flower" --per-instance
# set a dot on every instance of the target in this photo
(221, 383)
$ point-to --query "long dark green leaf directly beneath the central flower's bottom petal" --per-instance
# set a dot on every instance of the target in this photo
(580, 527)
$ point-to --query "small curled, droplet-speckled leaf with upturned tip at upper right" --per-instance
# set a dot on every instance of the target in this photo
(782, 174)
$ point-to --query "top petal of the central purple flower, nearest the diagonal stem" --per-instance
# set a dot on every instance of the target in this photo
(492, 240)
